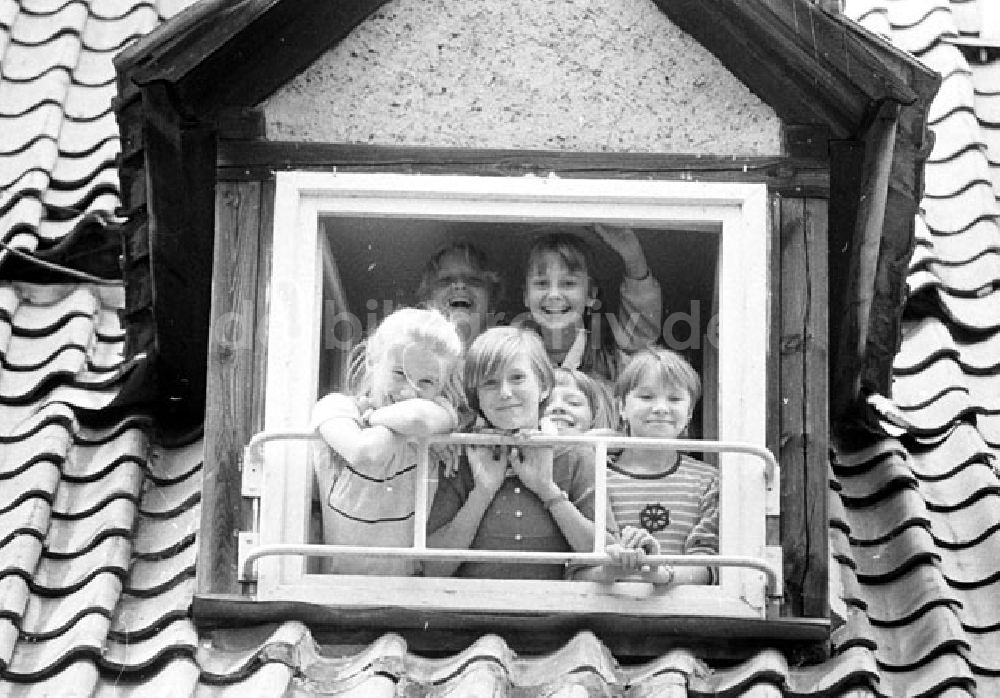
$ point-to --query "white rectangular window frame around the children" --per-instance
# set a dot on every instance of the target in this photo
(737, 212)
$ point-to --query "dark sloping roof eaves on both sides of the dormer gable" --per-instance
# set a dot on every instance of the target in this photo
(812, 66)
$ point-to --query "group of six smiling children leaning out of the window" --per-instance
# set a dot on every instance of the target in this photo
(436, 370)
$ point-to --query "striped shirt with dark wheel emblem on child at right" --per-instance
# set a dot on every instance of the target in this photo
(678, 506)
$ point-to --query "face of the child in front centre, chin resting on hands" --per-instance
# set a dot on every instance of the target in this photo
(511, 397)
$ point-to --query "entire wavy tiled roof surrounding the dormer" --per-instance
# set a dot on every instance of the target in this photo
(97, 526)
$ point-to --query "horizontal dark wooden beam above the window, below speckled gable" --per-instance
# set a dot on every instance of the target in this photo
(257, 159)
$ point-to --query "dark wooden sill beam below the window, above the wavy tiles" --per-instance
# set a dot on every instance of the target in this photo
(636, 636)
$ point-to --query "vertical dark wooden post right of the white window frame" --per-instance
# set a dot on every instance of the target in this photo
(803, 406)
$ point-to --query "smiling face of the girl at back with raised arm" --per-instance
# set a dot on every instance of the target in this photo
(555, 296)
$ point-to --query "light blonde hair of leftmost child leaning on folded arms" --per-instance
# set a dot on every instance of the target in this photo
(403, 327)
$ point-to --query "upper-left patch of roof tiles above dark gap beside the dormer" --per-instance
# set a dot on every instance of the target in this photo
(58, 136)
